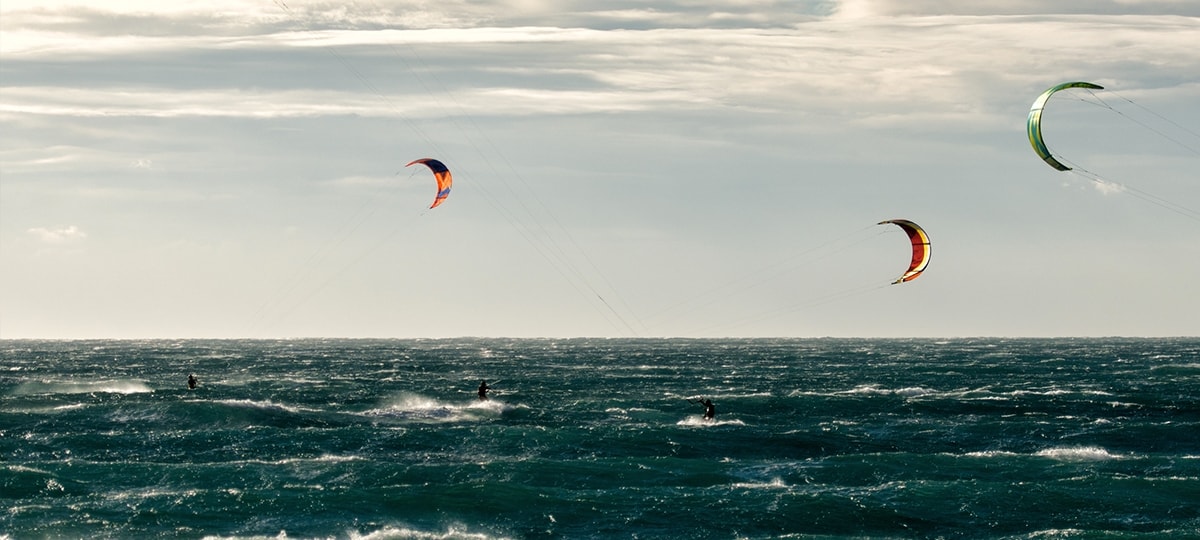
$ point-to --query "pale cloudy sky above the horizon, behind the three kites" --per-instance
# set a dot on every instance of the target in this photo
(237, 169)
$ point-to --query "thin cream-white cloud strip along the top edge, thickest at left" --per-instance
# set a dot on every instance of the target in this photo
(46, 22)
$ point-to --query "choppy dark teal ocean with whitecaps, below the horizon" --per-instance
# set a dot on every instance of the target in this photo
(590, 439)
